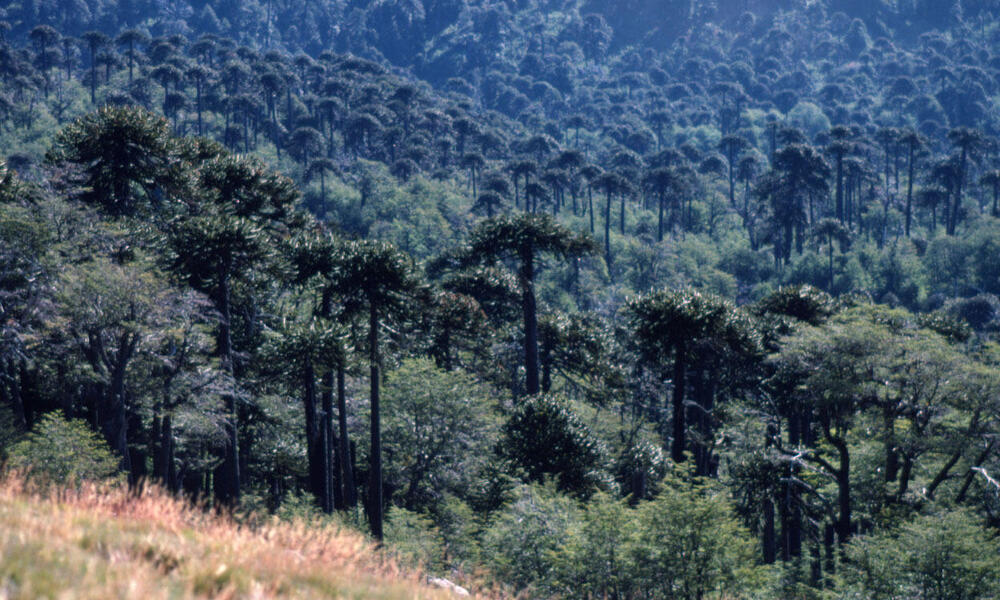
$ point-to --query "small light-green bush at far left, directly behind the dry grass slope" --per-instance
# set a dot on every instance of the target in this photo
(63, 452)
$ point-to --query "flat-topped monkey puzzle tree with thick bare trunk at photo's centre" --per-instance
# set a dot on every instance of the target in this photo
(522, 238)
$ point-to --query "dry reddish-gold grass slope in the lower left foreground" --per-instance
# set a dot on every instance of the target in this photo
(95, 543)
